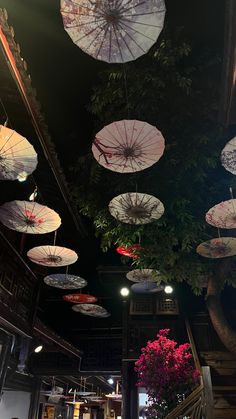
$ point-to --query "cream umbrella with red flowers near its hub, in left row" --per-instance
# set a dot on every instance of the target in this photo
(29, 217)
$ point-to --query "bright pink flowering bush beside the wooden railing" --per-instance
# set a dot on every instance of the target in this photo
(167, 372)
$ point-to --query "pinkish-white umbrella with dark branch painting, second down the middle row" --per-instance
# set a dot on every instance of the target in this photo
(128, 146)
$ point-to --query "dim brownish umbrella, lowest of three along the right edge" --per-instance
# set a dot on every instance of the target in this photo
(218, 248)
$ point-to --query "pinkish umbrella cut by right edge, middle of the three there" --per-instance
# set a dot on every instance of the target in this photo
(223, 215)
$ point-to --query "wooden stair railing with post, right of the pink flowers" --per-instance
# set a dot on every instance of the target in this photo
(199, 403)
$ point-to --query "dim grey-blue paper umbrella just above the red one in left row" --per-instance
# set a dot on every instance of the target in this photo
(65, 281)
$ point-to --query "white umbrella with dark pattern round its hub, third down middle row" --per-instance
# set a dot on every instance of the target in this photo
(136, 208)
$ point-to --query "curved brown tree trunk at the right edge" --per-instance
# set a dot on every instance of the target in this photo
(213, 299)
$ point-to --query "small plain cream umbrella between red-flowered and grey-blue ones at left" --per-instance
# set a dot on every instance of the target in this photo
(52, 256)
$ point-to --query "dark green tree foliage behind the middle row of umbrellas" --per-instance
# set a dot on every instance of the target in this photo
(175, 88)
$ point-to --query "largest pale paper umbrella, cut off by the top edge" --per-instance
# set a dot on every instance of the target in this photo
(115, 31)
